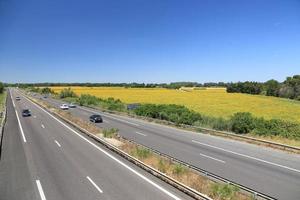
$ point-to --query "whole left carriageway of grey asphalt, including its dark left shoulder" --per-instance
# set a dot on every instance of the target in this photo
(43, 158)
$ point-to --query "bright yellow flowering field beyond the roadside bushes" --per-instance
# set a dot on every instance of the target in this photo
(213, 102)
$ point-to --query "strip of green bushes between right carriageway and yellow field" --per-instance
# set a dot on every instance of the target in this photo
(239, 122)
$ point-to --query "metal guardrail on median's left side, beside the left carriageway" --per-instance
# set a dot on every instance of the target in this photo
(185, 189)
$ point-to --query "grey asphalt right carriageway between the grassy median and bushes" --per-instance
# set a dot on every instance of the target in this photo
(272, 172)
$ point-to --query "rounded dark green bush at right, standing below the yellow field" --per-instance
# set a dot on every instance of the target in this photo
(242, 122)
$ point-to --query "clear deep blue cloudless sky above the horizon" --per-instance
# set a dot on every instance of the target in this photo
(148, 40)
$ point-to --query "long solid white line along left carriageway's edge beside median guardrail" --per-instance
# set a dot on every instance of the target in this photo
(111, 156)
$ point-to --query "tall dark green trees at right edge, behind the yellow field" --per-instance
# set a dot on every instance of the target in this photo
(290, 88)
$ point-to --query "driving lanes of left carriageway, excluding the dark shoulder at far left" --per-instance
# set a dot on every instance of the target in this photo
(62, 171)
